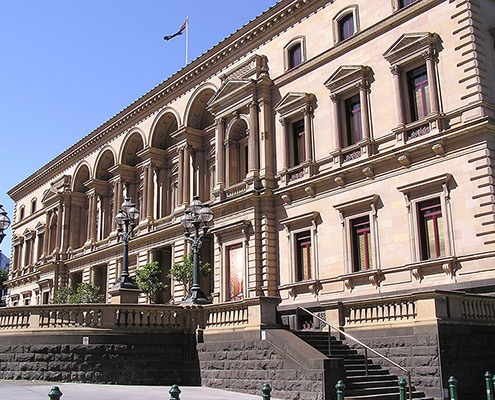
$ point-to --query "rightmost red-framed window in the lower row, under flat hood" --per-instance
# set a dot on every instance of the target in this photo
(431, 229)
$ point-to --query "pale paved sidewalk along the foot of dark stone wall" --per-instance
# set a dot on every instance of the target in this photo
(37, 390)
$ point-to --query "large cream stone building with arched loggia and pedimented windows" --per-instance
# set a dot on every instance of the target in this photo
(346, 149)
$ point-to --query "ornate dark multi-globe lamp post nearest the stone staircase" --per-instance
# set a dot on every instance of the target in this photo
(196, 215)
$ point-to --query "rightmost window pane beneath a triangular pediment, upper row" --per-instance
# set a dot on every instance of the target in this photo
(419, 96)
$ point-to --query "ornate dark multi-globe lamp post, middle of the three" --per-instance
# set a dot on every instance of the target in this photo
(127, 217)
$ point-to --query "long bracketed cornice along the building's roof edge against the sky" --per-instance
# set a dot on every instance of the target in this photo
(253, 32)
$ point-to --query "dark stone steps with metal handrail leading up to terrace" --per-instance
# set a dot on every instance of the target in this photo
(379, 384)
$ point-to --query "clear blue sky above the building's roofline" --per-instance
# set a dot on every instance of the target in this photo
(68, 66)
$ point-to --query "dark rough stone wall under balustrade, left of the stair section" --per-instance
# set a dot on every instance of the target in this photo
(135, 359)
